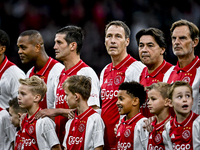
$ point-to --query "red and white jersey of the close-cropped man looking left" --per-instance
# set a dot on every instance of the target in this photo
(49, 73)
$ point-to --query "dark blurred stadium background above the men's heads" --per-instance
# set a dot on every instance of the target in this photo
(47, 16)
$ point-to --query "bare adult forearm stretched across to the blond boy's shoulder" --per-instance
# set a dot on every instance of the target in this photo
(54, 112)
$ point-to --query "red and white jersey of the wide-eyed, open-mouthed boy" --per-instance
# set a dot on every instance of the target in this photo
(185, 135)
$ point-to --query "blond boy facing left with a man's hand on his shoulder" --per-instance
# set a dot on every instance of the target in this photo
(35, 134)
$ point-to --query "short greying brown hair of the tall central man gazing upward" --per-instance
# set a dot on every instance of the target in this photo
(121, 24)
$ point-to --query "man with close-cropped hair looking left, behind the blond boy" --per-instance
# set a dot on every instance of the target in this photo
(32, 51)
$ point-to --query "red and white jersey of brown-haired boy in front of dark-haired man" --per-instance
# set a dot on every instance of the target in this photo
(85, 131)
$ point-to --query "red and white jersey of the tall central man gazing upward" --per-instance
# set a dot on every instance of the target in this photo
(110, 79)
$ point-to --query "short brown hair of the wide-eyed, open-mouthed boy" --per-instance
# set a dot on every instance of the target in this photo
(178, 84)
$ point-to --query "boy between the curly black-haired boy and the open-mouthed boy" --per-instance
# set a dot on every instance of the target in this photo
(158, 104)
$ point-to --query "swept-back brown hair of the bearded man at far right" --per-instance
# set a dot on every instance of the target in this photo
(194, 31)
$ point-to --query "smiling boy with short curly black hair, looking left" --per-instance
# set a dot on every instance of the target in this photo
(130, 133)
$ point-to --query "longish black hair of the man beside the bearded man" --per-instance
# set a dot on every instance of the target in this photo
(158, 35)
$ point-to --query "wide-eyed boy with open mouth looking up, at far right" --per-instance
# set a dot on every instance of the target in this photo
(183, 131)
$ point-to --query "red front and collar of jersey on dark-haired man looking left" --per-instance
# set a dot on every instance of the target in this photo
(60, 99)
